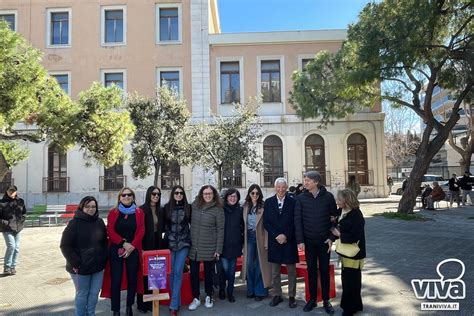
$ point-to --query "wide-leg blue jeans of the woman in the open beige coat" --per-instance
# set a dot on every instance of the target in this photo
(254, 274)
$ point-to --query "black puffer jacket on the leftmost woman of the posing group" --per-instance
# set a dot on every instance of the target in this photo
(84, 243)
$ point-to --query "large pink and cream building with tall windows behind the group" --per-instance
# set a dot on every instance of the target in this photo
(137, 44)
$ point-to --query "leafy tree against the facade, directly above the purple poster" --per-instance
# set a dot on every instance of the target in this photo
(160, 123)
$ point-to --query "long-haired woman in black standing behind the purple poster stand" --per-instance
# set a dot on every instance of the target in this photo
(153, 238)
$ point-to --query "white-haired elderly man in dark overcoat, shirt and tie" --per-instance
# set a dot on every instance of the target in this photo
(278, 221)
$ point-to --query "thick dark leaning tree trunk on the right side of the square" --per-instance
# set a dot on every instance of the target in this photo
(427, 150)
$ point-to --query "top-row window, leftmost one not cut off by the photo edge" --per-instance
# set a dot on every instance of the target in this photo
(58, 27)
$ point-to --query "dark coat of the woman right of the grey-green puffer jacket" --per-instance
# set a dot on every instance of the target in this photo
(233, 231)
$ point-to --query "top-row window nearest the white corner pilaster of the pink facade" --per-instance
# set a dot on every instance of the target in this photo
(168, 17)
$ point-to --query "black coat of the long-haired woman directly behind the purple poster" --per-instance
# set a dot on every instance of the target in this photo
(153, 240)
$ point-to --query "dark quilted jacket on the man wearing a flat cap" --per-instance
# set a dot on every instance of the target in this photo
(313, 215)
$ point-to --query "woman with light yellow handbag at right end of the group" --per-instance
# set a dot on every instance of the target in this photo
(350, 229)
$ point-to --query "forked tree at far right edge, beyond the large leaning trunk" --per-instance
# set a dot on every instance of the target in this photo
(466, 143)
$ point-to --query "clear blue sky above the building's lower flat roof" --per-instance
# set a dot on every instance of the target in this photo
(286, 15)
